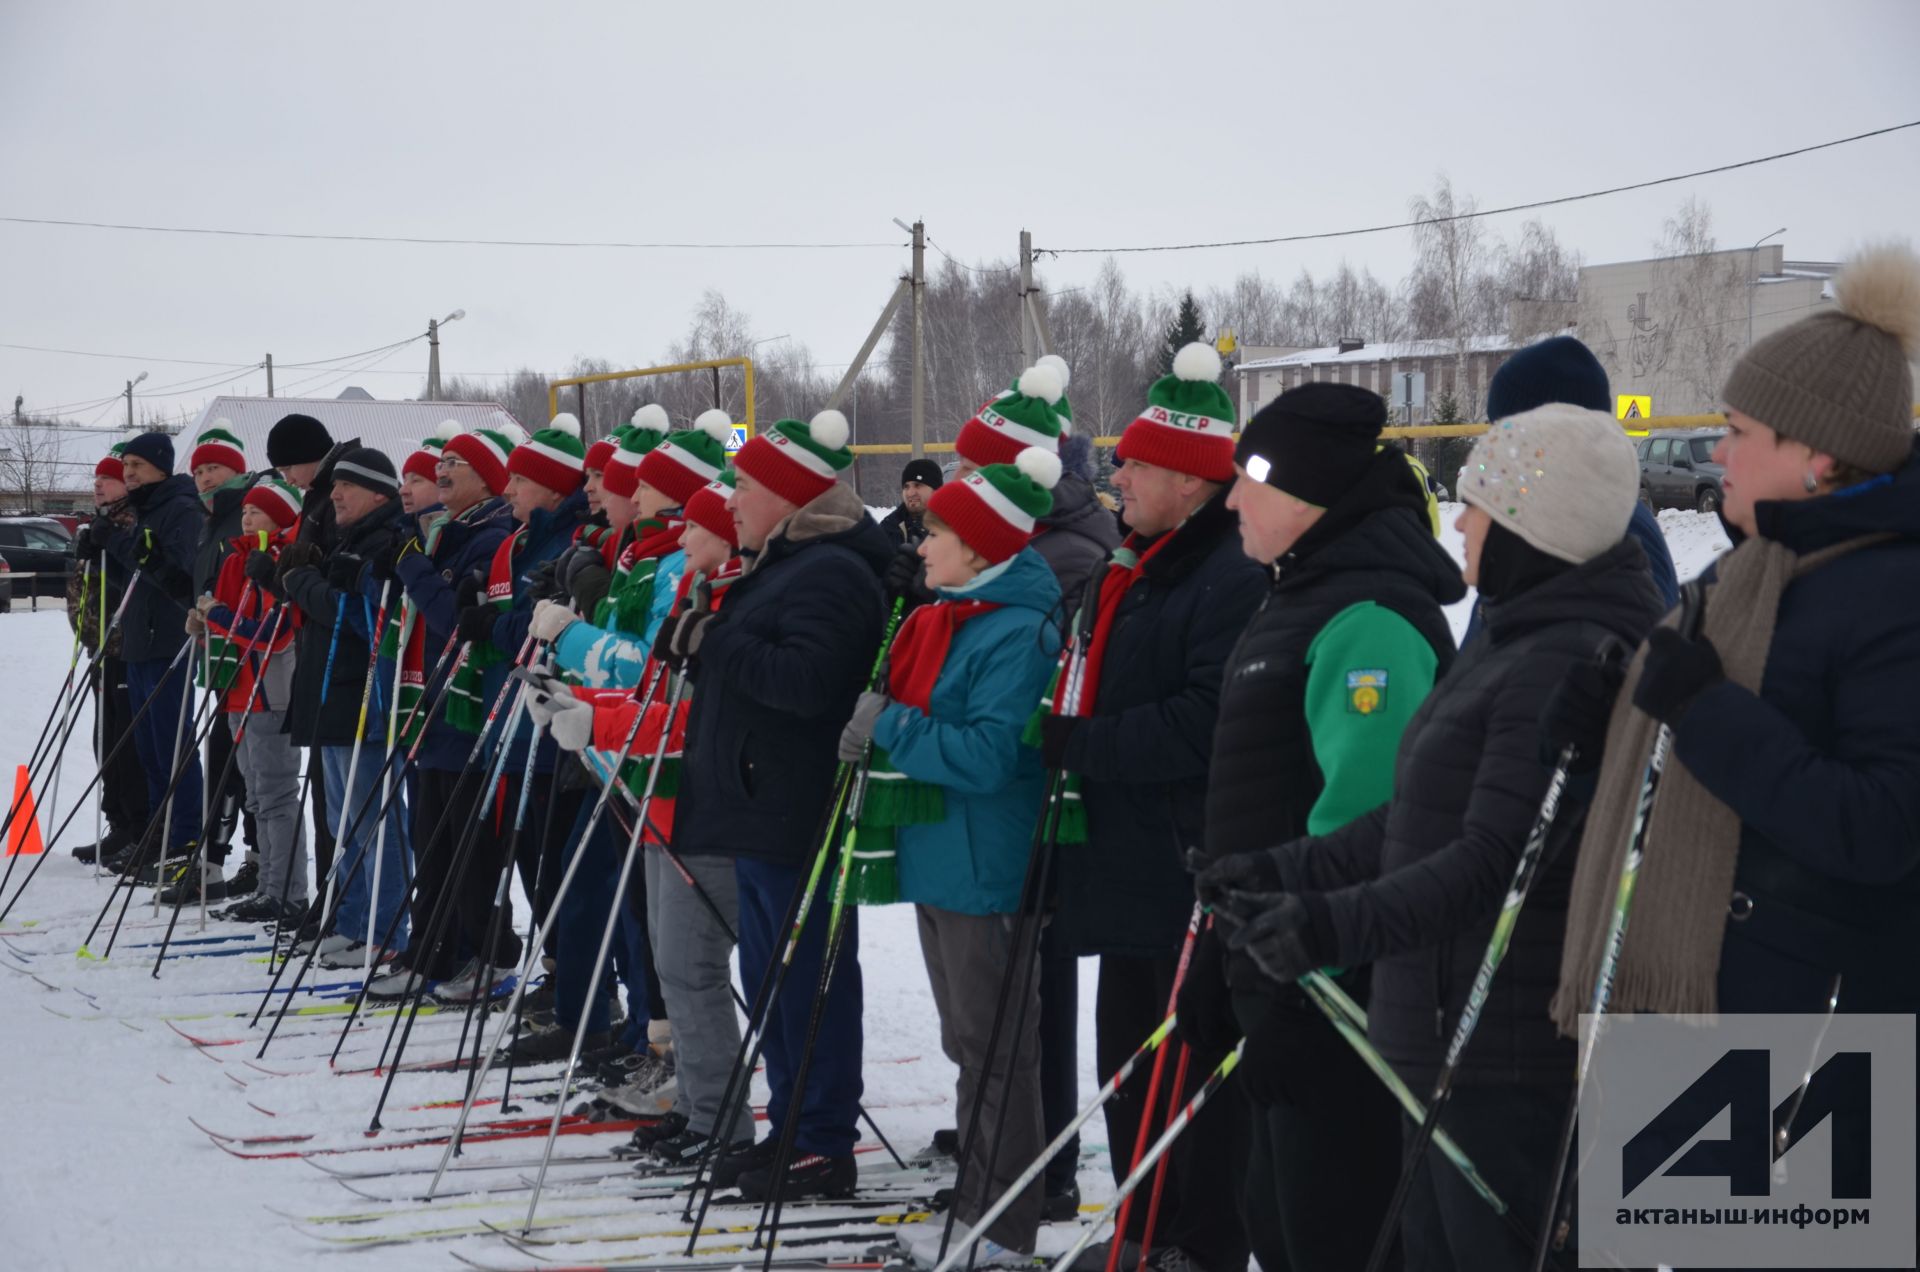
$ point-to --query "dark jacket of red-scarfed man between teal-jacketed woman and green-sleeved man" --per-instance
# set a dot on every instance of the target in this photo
(1143, 754)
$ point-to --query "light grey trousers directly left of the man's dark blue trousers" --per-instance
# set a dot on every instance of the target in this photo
(692, 956)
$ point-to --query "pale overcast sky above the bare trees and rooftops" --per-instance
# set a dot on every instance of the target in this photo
(1088, 124)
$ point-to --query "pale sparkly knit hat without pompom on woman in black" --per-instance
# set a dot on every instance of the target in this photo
(1562, 477)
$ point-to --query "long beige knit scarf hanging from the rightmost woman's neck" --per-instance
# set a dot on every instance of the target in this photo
(1671, 958)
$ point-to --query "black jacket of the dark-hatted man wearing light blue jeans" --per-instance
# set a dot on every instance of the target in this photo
(331, 652)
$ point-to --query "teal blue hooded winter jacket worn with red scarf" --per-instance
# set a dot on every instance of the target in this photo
(997, 668)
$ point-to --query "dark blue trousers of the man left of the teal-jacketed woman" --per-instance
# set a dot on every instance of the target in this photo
(830, 1106)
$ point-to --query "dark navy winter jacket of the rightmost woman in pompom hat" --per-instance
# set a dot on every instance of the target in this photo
(1823, 768)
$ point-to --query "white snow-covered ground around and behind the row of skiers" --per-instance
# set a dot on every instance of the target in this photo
(105, 1169)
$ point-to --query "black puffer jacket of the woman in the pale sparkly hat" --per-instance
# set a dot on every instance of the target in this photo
(1414, 887)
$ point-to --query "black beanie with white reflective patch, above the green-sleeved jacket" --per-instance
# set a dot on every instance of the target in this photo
(1314, 441)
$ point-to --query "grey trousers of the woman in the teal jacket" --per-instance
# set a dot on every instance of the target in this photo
(967, 962)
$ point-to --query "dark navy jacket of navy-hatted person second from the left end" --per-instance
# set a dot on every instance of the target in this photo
(168, 518)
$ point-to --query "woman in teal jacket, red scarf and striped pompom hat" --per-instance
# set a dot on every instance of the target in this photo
(963, 681)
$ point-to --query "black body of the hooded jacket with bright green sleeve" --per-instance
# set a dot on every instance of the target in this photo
(1378, 547)
